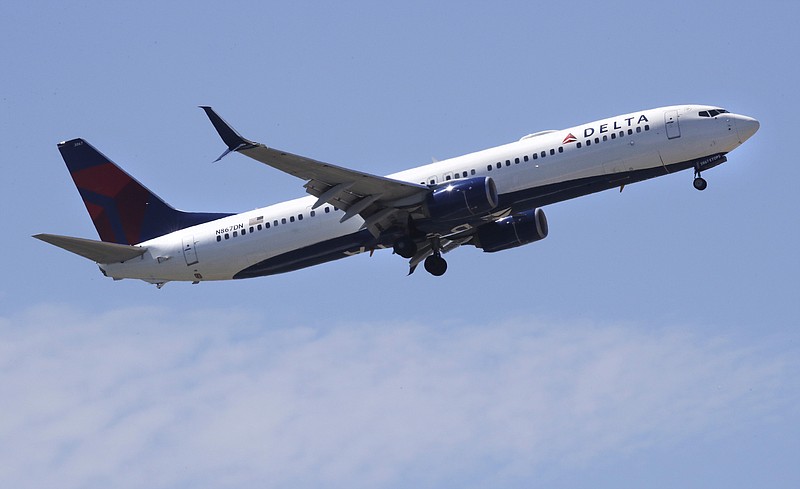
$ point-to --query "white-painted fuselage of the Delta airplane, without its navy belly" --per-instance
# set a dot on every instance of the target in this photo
(642, 140)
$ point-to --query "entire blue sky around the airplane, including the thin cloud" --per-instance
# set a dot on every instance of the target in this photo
(650, 340)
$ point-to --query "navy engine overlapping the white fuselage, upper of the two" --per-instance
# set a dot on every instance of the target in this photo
(462, 199)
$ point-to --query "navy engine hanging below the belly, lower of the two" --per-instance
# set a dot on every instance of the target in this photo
(512, 231)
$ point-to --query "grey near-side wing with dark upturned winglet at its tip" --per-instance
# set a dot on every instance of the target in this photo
(380, 201)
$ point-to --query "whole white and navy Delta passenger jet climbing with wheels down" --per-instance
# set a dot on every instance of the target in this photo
(490, 199)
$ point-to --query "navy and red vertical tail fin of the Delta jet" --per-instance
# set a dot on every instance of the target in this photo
(122, 209)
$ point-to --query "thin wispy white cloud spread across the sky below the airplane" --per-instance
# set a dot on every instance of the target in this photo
(159, 398)
